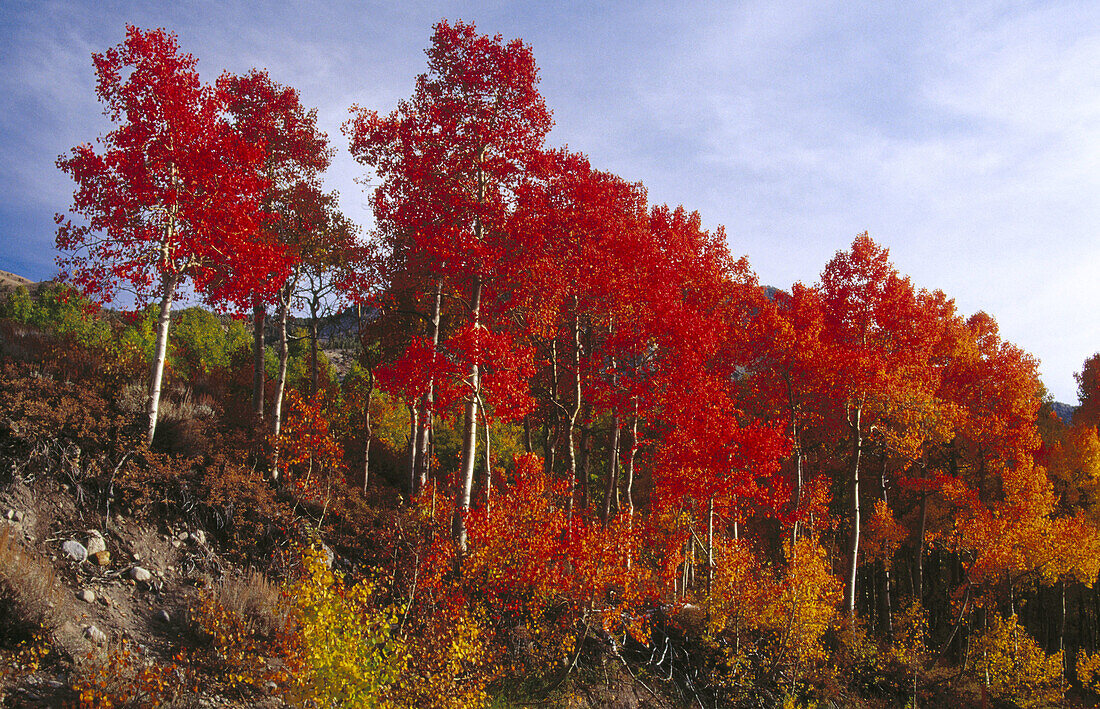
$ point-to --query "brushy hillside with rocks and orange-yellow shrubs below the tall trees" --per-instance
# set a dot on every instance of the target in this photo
(189, 574)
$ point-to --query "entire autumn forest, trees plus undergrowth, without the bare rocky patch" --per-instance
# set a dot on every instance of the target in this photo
(530, 440)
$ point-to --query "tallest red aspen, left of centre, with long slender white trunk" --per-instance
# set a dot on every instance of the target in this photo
(449, 160)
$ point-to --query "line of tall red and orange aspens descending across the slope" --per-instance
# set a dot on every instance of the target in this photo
(896, 458)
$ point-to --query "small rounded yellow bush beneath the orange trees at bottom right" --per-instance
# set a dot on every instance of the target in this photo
(1015, 668)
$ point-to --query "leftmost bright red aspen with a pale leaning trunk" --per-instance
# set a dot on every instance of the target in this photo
(172, 196)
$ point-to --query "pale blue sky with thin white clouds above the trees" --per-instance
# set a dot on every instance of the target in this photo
(964, 139)
